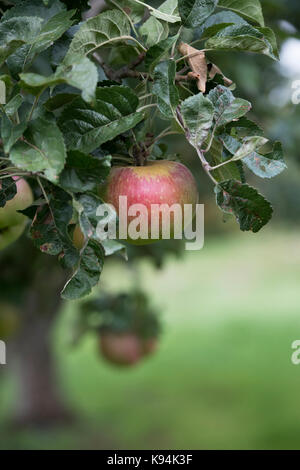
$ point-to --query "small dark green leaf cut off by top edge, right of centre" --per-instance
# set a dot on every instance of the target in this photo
(194, 12)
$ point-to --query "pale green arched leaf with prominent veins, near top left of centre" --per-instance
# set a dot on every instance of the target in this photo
(106, 29)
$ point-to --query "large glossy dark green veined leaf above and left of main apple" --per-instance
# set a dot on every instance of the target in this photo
(85, 128)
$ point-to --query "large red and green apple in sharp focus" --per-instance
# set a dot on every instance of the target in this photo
(159, 182)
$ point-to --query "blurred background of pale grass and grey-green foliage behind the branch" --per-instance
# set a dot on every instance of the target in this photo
(222, 377)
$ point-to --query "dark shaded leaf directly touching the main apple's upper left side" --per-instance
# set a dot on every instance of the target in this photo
(84, 172)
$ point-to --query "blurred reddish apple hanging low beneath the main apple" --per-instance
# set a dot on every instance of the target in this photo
(125, 349)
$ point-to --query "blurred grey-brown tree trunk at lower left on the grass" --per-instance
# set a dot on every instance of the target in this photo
(40, 279)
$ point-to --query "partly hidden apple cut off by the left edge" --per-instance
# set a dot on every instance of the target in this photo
(12, 223)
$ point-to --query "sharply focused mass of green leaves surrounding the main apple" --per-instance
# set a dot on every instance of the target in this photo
(80, 96)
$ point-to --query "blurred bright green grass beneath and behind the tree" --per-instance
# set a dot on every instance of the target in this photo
(222, 378)
